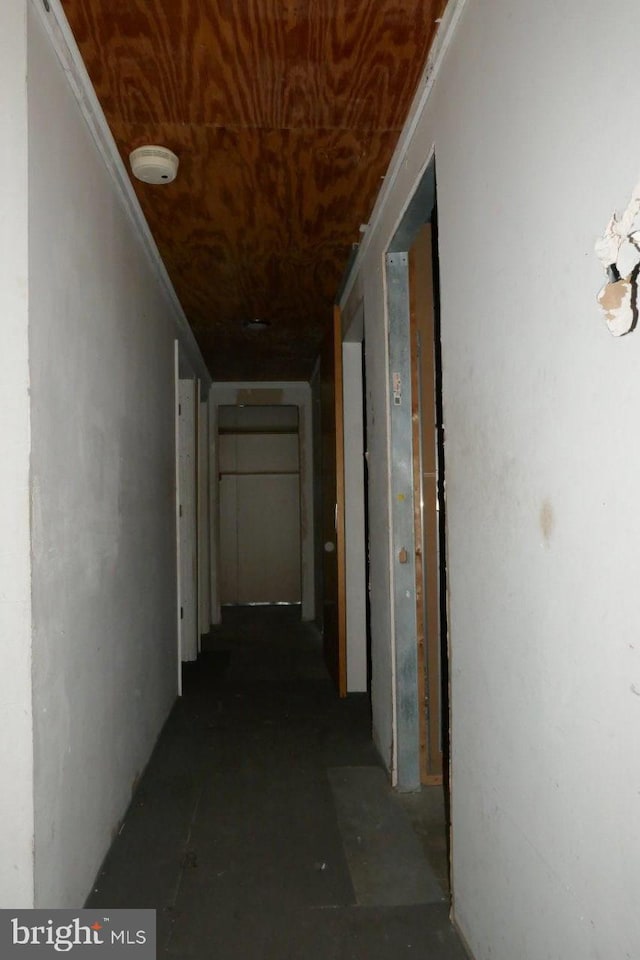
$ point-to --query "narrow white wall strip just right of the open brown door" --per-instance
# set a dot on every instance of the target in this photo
(355, 547)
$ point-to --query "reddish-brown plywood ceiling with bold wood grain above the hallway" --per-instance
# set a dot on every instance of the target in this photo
(284, 114)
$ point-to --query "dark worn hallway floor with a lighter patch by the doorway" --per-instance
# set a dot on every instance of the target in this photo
(264, 828)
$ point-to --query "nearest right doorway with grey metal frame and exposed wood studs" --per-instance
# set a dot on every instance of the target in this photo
(419, 510)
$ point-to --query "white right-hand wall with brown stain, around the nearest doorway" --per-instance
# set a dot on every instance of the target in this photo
(531, 117)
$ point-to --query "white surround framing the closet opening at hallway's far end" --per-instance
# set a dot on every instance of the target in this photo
(294, 393)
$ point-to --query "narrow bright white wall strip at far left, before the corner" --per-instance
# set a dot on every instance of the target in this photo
(16, 745)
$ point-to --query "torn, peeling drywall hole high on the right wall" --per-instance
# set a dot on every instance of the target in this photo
(619, 253)
